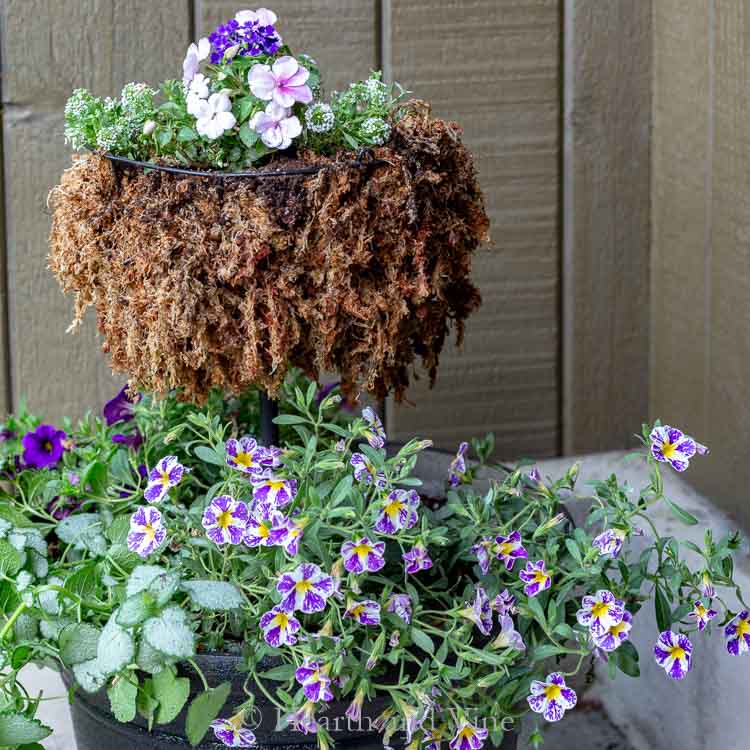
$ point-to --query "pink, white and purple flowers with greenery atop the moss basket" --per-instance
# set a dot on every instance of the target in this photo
(243, 96)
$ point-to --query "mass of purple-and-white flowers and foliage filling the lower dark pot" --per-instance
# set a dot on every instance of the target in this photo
(133, 541)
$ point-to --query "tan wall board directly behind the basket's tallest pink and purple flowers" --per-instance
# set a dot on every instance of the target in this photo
(339, 34)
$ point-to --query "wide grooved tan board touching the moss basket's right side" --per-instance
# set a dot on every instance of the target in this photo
(493, 65)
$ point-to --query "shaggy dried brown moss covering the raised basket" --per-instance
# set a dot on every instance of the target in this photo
(199, 282)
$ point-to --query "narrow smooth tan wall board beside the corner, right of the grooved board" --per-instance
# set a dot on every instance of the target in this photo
(606, 222)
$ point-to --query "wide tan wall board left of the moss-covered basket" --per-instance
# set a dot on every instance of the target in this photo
(54, 48)
